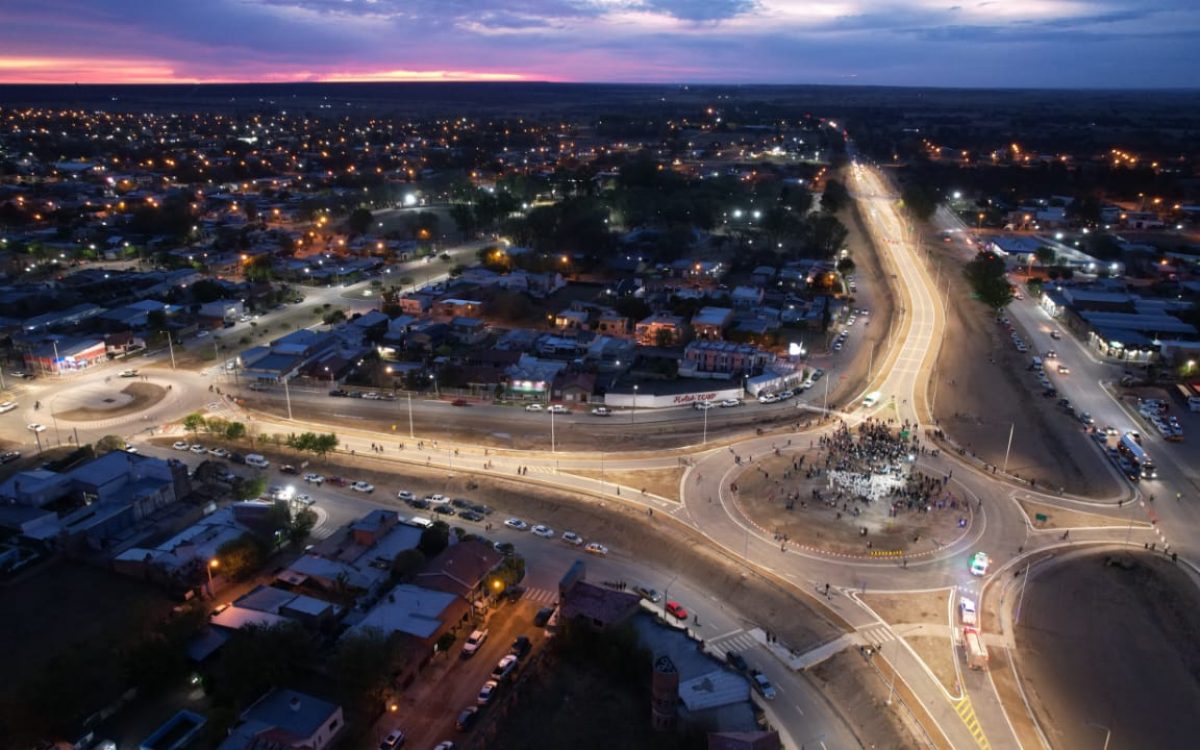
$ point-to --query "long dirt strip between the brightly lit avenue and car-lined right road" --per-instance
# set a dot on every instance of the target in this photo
(983, 388)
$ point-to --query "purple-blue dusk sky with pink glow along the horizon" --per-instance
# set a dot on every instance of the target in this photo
(1037, 44)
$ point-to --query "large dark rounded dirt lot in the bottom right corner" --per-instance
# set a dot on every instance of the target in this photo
(1100, 644)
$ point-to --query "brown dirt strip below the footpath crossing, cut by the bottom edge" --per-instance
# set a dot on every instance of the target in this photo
(856, 689)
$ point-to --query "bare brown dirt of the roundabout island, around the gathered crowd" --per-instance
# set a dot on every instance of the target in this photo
(763, 490)
